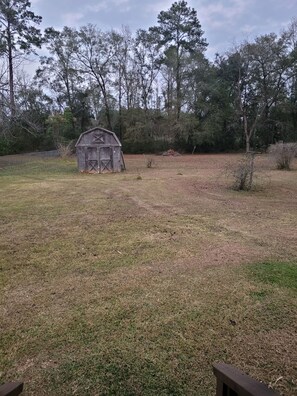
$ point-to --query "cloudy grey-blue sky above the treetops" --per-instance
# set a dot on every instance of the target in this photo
(225, 22)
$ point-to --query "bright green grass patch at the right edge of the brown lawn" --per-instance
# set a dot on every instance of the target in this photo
(280, 274)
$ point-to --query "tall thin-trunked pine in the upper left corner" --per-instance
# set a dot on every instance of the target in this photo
(17, 35)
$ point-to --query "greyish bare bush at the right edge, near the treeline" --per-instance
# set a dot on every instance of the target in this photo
(283, 154)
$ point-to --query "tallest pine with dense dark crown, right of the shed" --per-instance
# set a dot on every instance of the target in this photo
(180, 35)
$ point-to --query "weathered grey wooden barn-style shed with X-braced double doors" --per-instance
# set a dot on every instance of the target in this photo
(98, 151)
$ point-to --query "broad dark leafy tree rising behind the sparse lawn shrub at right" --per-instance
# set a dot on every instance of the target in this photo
(259, 73)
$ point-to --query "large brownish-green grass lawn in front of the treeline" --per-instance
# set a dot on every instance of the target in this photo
(136, 283)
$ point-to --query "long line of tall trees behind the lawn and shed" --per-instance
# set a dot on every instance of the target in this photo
(155, 88)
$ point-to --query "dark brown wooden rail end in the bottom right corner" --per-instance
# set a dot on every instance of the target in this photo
(233, 382)
